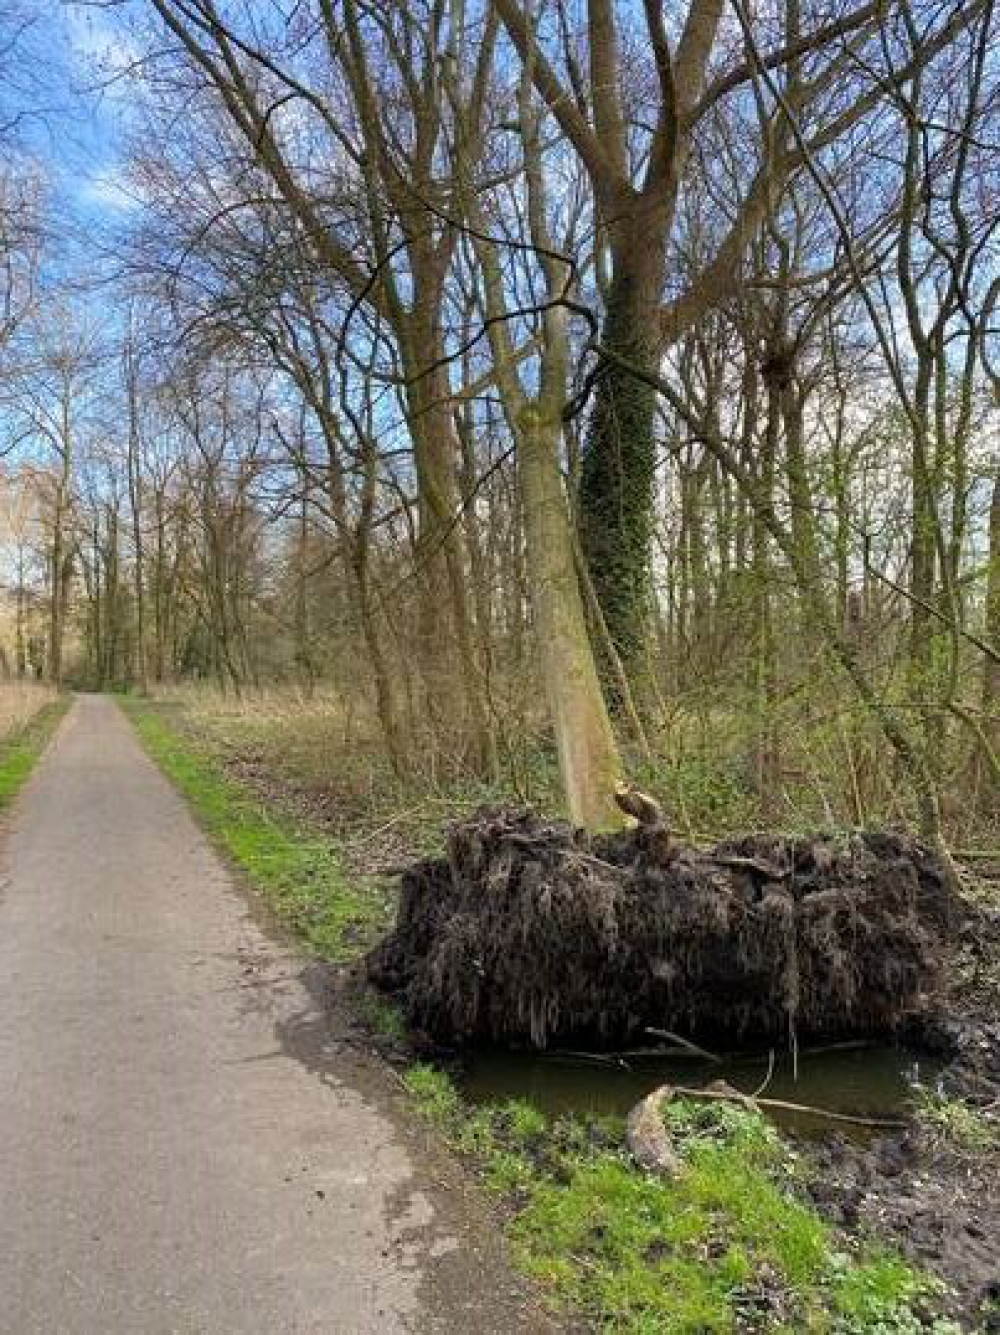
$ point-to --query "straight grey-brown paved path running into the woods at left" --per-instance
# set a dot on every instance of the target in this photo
(184, 1143)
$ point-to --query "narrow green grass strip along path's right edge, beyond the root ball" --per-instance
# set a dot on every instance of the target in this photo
(297, 871)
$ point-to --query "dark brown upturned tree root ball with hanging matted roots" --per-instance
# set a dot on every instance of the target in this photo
(535, 934)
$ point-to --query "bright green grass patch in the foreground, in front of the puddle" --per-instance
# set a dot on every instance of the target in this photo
(727, 1246)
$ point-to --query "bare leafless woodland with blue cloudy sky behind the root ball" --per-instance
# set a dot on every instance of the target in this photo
(465, 400)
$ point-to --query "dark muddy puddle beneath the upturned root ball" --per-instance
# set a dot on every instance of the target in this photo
(878, 1081)
